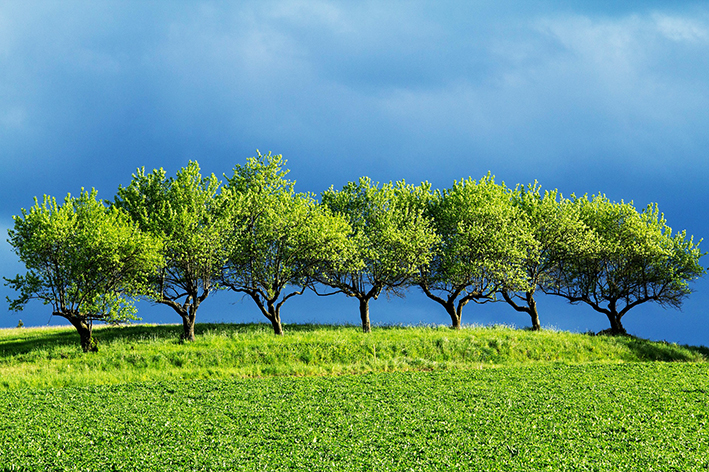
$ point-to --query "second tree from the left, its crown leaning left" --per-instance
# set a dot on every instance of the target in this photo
(184, 213)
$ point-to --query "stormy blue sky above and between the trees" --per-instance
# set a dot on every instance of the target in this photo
(582, 96)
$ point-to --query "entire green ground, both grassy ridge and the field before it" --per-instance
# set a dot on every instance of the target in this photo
(331, 398)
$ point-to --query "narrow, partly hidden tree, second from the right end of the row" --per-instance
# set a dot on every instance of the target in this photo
(557, 230)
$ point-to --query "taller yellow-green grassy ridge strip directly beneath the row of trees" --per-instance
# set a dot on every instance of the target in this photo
(50, 357)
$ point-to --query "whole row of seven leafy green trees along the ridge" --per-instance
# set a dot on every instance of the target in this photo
(174, 240)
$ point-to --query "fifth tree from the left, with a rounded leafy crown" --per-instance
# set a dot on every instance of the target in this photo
(484, 241)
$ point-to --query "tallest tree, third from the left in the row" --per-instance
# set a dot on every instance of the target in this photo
(277, 237)
